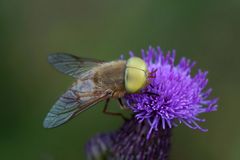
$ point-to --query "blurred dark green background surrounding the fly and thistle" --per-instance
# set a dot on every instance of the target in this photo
(206, 31)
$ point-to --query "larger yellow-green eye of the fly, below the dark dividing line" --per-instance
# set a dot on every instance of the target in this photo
(135, 79)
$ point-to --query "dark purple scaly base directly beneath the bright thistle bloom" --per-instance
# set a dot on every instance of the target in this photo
(130, 143)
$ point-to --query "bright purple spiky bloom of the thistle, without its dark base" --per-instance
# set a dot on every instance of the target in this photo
(173, 96)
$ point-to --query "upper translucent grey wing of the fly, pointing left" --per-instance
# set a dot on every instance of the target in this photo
(72, 65)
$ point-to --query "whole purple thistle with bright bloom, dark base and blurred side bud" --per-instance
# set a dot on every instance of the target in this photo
(174, 96)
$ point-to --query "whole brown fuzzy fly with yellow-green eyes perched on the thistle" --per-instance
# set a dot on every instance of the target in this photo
(95, 81)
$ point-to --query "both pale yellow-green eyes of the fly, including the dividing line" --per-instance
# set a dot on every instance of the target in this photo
(135, 74)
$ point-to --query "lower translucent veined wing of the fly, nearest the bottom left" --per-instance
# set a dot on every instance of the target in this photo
(71, 103)
